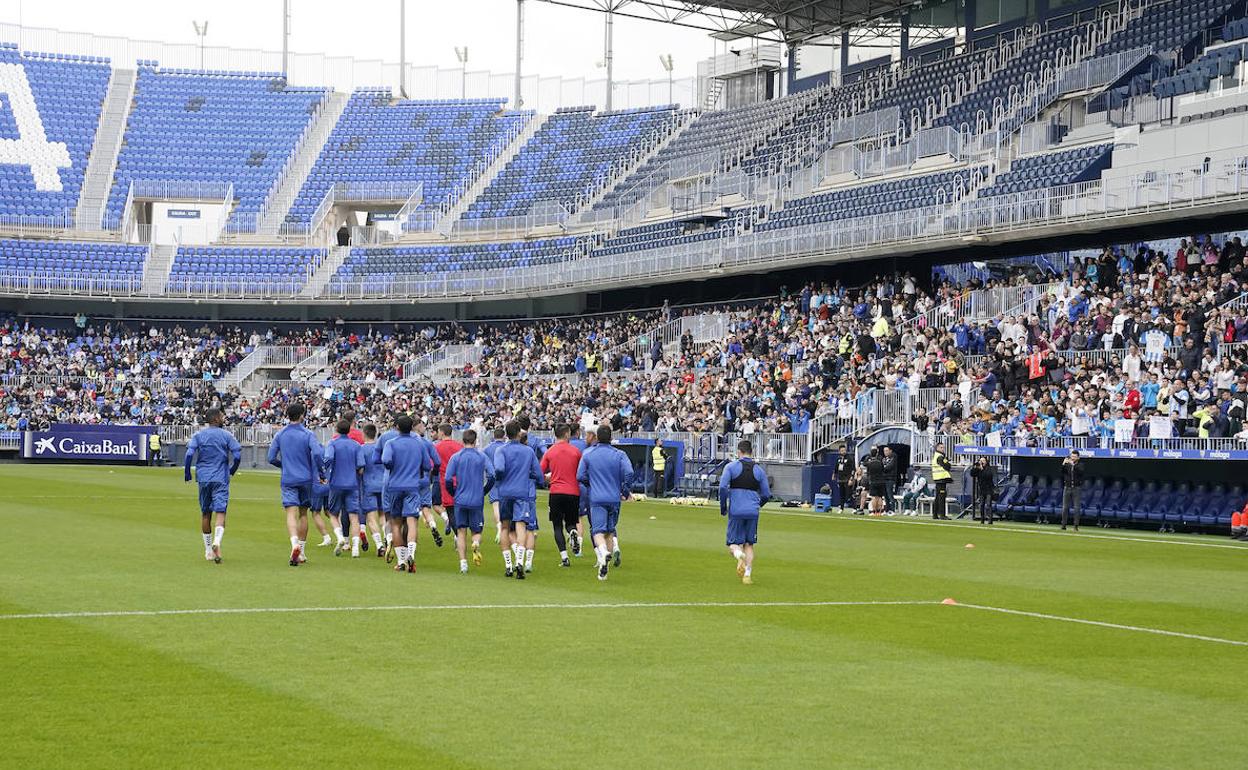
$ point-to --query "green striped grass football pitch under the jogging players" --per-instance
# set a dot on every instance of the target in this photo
(122, 647)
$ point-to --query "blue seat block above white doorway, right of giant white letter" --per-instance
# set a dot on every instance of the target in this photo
(189, 127)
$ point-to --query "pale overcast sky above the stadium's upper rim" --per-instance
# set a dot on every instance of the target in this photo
(558, 41)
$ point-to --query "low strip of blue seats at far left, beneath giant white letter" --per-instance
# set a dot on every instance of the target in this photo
(56, 260)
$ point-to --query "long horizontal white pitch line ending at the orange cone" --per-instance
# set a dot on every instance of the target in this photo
(250, 611)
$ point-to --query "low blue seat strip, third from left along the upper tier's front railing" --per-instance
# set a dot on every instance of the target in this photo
(378, 269)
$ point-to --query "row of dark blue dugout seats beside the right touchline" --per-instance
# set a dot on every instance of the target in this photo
(1116, 501)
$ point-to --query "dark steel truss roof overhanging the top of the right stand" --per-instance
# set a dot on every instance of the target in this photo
(788, 21)
